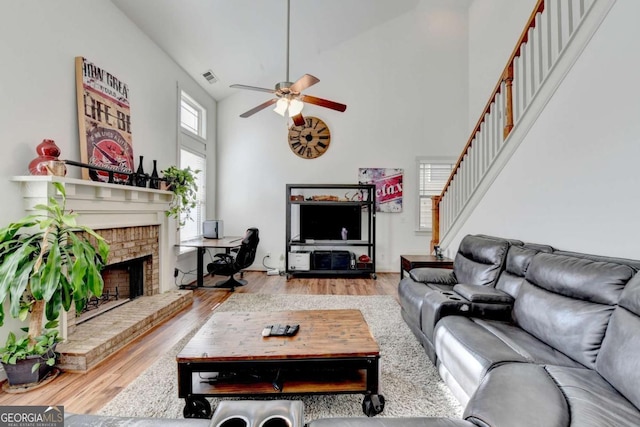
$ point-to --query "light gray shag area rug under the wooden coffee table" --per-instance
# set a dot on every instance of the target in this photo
(409, 381)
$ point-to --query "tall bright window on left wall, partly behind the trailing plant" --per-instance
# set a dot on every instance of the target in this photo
(192, 153)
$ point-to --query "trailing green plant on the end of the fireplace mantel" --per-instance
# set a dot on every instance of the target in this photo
(185, 188)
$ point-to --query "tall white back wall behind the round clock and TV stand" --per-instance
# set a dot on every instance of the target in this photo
(405, 84)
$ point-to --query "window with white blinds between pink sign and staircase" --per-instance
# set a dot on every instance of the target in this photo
(433, 174)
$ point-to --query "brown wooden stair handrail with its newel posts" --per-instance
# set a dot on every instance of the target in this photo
(507, 78)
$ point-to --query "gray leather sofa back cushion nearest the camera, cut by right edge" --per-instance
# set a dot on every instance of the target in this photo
(619, 359)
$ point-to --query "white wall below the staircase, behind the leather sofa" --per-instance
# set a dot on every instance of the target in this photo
(573, 183)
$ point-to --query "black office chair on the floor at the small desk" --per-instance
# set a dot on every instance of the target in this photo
(229, 264)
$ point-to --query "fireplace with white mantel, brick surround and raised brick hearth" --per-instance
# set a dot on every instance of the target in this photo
(132, 220)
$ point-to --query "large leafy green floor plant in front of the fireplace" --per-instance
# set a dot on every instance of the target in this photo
(47, 263)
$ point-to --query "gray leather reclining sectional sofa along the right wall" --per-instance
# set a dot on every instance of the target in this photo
(523, 334)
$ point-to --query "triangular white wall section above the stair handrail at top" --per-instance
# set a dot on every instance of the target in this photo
(494, 28)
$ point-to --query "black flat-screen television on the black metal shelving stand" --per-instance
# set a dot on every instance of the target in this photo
(326, 222)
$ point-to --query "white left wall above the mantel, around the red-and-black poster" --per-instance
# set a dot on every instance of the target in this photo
(40, 40)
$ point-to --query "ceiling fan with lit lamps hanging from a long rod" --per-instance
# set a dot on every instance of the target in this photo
(289, 98)
